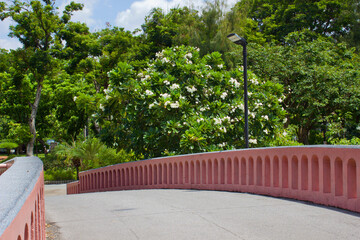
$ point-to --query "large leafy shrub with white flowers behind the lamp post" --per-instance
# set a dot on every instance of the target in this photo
(182, 103)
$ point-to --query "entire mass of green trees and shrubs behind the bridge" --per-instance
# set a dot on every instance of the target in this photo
(175, 86)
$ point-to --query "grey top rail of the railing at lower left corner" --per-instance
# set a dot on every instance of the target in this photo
(15, 186)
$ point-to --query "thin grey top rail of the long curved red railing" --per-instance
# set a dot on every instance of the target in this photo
(246, 149)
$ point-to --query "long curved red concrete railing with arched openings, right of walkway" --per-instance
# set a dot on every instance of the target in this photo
(324, 175)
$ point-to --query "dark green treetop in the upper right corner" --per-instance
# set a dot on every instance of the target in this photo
(276, 19)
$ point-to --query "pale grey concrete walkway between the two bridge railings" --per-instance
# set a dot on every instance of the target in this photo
(191, 214)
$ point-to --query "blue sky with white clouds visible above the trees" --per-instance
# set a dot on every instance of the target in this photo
(129, 14)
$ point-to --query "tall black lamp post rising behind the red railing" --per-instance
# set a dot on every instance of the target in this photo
(241, 41)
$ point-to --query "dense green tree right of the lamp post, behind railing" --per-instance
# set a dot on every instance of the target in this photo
(320, 78)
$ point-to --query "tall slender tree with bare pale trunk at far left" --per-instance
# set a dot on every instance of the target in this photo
(36, 25)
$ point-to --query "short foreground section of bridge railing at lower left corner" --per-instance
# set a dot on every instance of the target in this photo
(22, 213)
